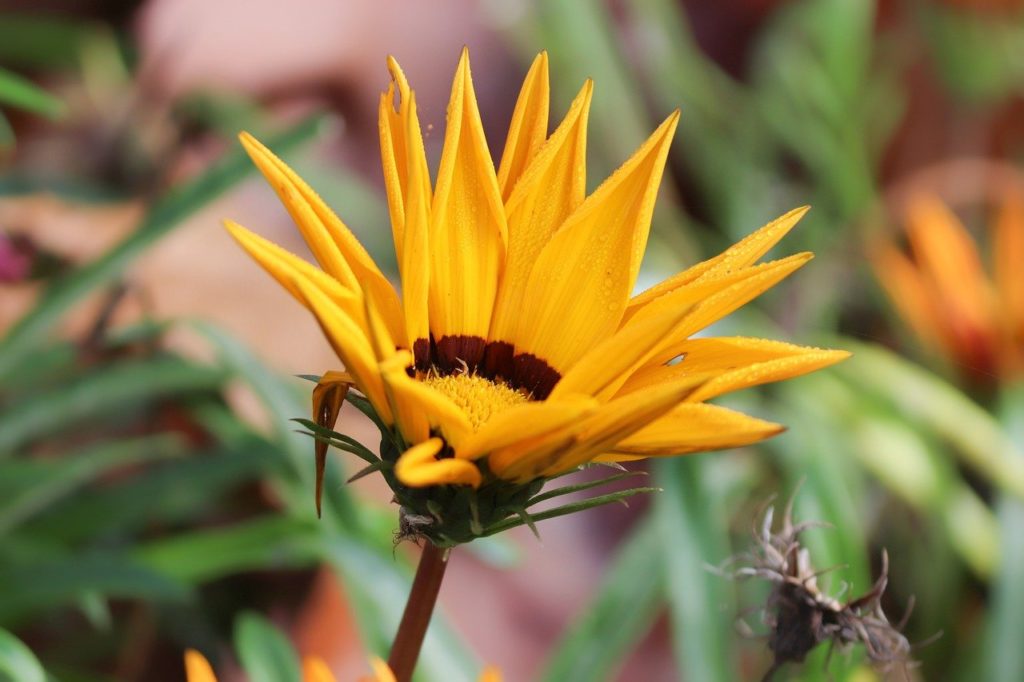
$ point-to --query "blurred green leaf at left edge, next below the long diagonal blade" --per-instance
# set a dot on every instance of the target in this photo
(102, 393)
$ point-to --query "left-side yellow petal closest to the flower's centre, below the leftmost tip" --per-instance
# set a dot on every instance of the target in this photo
(351, 344)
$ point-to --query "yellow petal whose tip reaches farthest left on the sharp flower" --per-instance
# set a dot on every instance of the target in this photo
(287, 269)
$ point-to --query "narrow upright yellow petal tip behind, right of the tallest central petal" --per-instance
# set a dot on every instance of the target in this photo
(529, 129)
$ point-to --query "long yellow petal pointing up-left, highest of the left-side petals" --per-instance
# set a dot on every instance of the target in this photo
(333, 244)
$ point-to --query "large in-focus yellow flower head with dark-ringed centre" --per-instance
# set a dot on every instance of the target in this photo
(517, 352)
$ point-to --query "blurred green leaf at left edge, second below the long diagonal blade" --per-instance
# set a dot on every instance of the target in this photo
(52, 480)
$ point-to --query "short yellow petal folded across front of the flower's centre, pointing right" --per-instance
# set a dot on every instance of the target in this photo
(524, 422)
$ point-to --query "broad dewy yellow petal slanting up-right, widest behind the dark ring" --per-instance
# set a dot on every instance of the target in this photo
(582, 280)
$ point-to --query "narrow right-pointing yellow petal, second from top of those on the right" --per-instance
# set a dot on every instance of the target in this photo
(719, 306)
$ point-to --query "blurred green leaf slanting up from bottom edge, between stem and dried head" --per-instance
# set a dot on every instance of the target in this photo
(623, 611)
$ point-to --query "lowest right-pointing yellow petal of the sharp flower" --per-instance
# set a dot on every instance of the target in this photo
(697, 428)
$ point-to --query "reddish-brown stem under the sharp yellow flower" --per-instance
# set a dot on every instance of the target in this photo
(420, 607)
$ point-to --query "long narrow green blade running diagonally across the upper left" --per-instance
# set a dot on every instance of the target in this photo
(164, 217)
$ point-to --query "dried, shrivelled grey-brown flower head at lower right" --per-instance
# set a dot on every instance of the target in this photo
(800, 616)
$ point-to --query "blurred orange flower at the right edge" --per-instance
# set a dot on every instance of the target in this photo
(946, 295)
